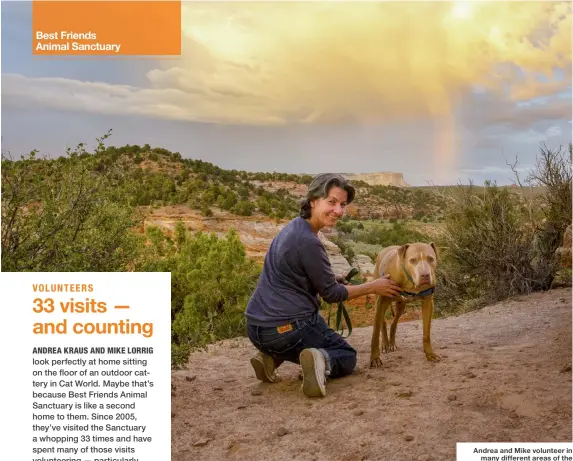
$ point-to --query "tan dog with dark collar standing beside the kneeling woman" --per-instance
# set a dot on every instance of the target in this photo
(413, 268)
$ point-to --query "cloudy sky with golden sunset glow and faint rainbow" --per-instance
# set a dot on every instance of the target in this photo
(439, 91)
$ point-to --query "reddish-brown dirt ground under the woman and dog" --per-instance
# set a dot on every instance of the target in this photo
(505, 376)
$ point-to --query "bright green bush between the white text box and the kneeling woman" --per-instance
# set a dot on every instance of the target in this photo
(211, 282)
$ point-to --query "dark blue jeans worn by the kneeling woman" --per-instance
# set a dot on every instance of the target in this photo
(302, 334)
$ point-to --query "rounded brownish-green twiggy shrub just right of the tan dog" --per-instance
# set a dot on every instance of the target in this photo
(489, 251)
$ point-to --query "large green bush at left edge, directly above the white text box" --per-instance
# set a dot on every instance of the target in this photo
(63, 215)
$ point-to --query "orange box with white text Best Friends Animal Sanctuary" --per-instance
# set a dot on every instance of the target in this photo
(106, 28)
